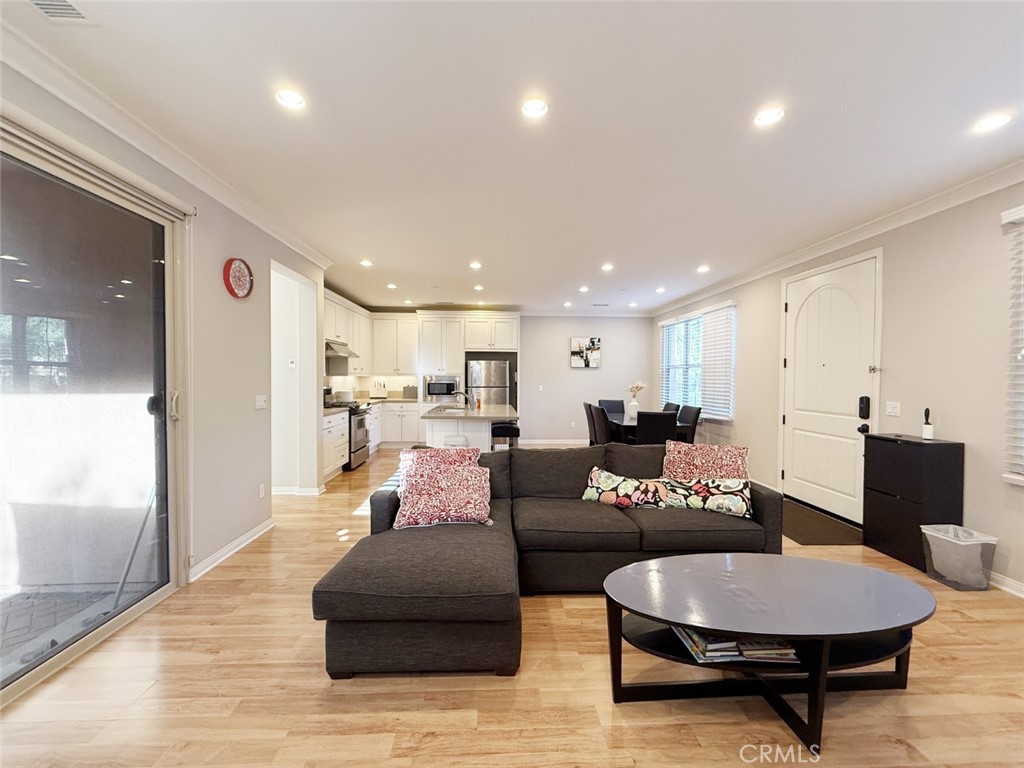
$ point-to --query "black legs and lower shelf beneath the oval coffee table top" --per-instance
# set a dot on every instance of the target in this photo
(820, 659)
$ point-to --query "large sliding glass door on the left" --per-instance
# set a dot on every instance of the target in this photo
(83, 444)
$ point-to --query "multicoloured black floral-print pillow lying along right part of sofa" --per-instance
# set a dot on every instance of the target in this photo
(728, 497)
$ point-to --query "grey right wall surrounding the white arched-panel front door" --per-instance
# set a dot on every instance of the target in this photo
(945, 346)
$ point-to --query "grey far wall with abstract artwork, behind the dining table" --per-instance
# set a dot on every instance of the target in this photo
(544, 361)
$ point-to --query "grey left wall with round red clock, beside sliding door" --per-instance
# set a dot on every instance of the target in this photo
(231, 338)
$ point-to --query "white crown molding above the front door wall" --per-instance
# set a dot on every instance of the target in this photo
(978, 188)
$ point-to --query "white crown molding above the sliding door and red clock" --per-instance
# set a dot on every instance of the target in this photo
(37, 65)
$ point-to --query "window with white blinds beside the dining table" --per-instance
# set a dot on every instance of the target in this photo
(699, 361)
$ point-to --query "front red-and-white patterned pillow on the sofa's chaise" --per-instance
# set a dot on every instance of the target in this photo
(445, 494)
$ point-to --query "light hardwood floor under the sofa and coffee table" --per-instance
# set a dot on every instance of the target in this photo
(230, 671)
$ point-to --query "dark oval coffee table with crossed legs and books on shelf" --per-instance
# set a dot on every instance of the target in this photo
(838, 617)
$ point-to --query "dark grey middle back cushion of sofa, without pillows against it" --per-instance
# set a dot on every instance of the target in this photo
(553, 474)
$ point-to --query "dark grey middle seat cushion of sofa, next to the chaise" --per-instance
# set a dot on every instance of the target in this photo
(573, 525)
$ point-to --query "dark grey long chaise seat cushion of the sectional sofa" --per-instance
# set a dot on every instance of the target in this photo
(446, 573)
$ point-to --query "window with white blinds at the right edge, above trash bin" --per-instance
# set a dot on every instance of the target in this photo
(1014, 221)
